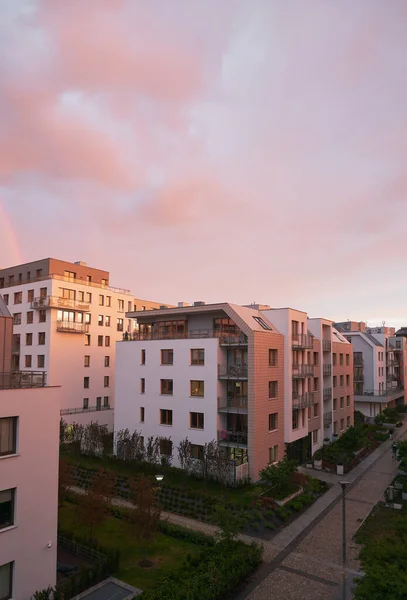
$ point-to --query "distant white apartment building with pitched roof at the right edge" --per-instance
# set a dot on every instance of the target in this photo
(380, 359)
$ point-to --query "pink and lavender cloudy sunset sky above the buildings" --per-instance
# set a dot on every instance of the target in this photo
(216, 150)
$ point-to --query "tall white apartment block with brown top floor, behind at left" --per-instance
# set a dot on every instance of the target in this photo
(67, 319)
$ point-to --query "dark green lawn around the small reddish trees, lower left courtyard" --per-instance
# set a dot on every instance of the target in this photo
(164, 552)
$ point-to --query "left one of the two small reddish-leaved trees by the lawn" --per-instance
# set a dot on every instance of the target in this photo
(94, 504)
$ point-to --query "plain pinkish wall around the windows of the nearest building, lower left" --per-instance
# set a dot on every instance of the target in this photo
(34, 473)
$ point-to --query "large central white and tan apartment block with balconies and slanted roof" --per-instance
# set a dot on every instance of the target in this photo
(250, 377)
